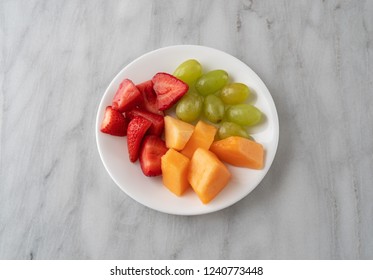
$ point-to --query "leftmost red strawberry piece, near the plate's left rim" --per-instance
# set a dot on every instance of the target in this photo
(114, 123)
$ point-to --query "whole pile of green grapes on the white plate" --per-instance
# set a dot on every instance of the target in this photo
(213, 96)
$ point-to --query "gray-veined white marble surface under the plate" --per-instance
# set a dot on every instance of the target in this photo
(58, 202)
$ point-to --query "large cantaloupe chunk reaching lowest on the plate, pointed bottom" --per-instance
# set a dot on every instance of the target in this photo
(207, 175)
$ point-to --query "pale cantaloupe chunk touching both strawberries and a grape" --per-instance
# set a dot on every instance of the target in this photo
(177, 132)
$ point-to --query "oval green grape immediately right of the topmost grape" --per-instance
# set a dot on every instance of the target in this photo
(211, 82)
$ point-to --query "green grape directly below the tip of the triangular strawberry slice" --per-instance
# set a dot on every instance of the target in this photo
(189, 107)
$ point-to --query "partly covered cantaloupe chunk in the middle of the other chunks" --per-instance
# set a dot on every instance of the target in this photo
(202, 137)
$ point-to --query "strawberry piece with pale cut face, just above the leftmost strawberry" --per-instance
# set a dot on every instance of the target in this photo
(126, 97)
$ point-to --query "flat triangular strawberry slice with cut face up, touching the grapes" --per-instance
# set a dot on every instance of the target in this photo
(169, 90)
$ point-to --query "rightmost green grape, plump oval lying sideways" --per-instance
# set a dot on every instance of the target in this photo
(243, 114)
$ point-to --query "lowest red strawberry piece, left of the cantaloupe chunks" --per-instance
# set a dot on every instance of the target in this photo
(152, 149)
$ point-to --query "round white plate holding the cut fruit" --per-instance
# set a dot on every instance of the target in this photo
(149, 191)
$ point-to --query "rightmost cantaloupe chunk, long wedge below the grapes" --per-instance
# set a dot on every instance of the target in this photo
(239, 151)
